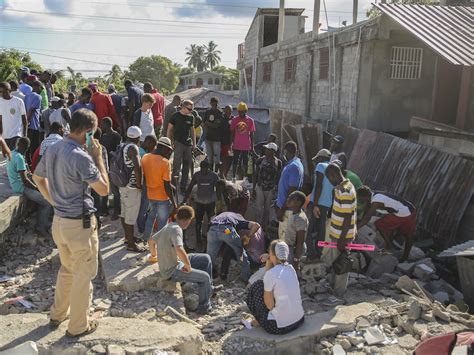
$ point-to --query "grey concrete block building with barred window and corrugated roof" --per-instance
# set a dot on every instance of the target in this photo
(376, 74)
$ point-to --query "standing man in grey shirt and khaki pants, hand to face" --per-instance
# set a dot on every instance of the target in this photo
(64, 177)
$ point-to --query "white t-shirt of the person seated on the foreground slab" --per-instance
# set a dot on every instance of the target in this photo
(283, 282)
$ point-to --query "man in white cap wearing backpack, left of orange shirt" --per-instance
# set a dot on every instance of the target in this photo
(125, 172)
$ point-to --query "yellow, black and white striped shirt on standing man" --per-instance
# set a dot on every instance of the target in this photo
(345, 202)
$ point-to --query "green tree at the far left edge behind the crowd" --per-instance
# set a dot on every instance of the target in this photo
(11, 60)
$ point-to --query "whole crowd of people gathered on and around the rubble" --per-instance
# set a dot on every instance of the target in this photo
(69, 154)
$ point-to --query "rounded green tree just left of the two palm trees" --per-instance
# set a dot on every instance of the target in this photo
(159, 70)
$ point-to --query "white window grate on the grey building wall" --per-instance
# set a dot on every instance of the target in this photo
(406, 63)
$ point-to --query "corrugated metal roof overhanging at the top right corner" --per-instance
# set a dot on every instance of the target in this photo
(448, 30)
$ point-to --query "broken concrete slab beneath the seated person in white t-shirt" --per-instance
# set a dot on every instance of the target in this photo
(316, 326)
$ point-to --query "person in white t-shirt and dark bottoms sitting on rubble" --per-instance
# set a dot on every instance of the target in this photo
(276, 302)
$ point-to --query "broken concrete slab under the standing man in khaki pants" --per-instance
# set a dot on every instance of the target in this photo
(136, 335)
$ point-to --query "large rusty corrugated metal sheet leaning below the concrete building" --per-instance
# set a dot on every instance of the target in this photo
(439, 184)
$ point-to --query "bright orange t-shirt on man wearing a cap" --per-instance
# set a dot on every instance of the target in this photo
(156, 170)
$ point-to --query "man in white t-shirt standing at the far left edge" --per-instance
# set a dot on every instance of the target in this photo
(13, 122)
